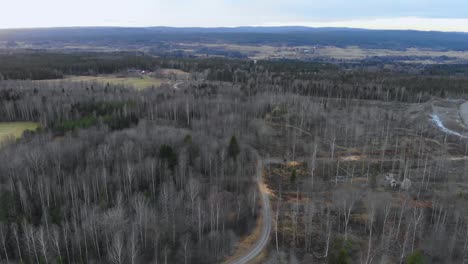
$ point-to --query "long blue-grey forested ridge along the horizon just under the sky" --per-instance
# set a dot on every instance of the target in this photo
(292, 36)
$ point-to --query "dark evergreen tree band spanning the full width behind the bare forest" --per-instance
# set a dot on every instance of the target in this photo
(306, 78)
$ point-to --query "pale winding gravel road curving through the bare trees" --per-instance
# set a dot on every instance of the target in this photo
(266, 223)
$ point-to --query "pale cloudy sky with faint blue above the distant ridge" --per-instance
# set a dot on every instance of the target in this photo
(446, 15)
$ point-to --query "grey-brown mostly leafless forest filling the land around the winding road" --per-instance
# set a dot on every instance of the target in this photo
(354, 165)
